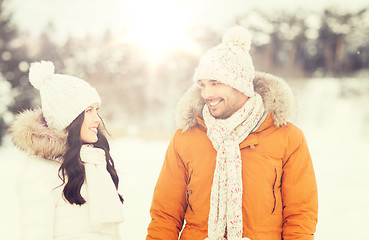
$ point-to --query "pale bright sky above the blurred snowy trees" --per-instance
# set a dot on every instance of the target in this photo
(155, 24)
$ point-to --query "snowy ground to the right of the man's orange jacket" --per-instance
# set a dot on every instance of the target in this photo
(336, 128)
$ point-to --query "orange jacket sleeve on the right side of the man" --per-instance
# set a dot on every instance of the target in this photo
(299, 190)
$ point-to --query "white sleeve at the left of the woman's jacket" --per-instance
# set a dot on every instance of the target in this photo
(36, 200)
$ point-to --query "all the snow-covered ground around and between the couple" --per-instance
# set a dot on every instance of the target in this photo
(337, 131)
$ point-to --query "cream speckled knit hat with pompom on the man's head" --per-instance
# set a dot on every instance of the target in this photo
(229, 62)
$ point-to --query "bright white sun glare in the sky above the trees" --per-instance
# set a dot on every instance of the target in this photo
(158, 26)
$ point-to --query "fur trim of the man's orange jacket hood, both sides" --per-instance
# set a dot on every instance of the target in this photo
(277, 97)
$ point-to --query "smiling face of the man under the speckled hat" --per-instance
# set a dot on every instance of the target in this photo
(222, 100)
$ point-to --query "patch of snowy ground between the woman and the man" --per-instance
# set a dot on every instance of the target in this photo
(138, 164)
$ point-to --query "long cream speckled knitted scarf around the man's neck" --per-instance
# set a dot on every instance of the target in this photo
(225, 216)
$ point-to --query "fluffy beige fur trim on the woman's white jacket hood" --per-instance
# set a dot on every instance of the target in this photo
(31, 135)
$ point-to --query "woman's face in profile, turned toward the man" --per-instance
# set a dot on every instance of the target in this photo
(90, 124)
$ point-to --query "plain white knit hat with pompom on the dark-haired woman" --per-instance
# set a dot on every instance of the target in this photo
(63, 97)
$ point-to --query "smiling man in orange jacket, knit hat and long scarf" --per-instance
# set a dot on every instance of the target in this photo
(235, 168)
